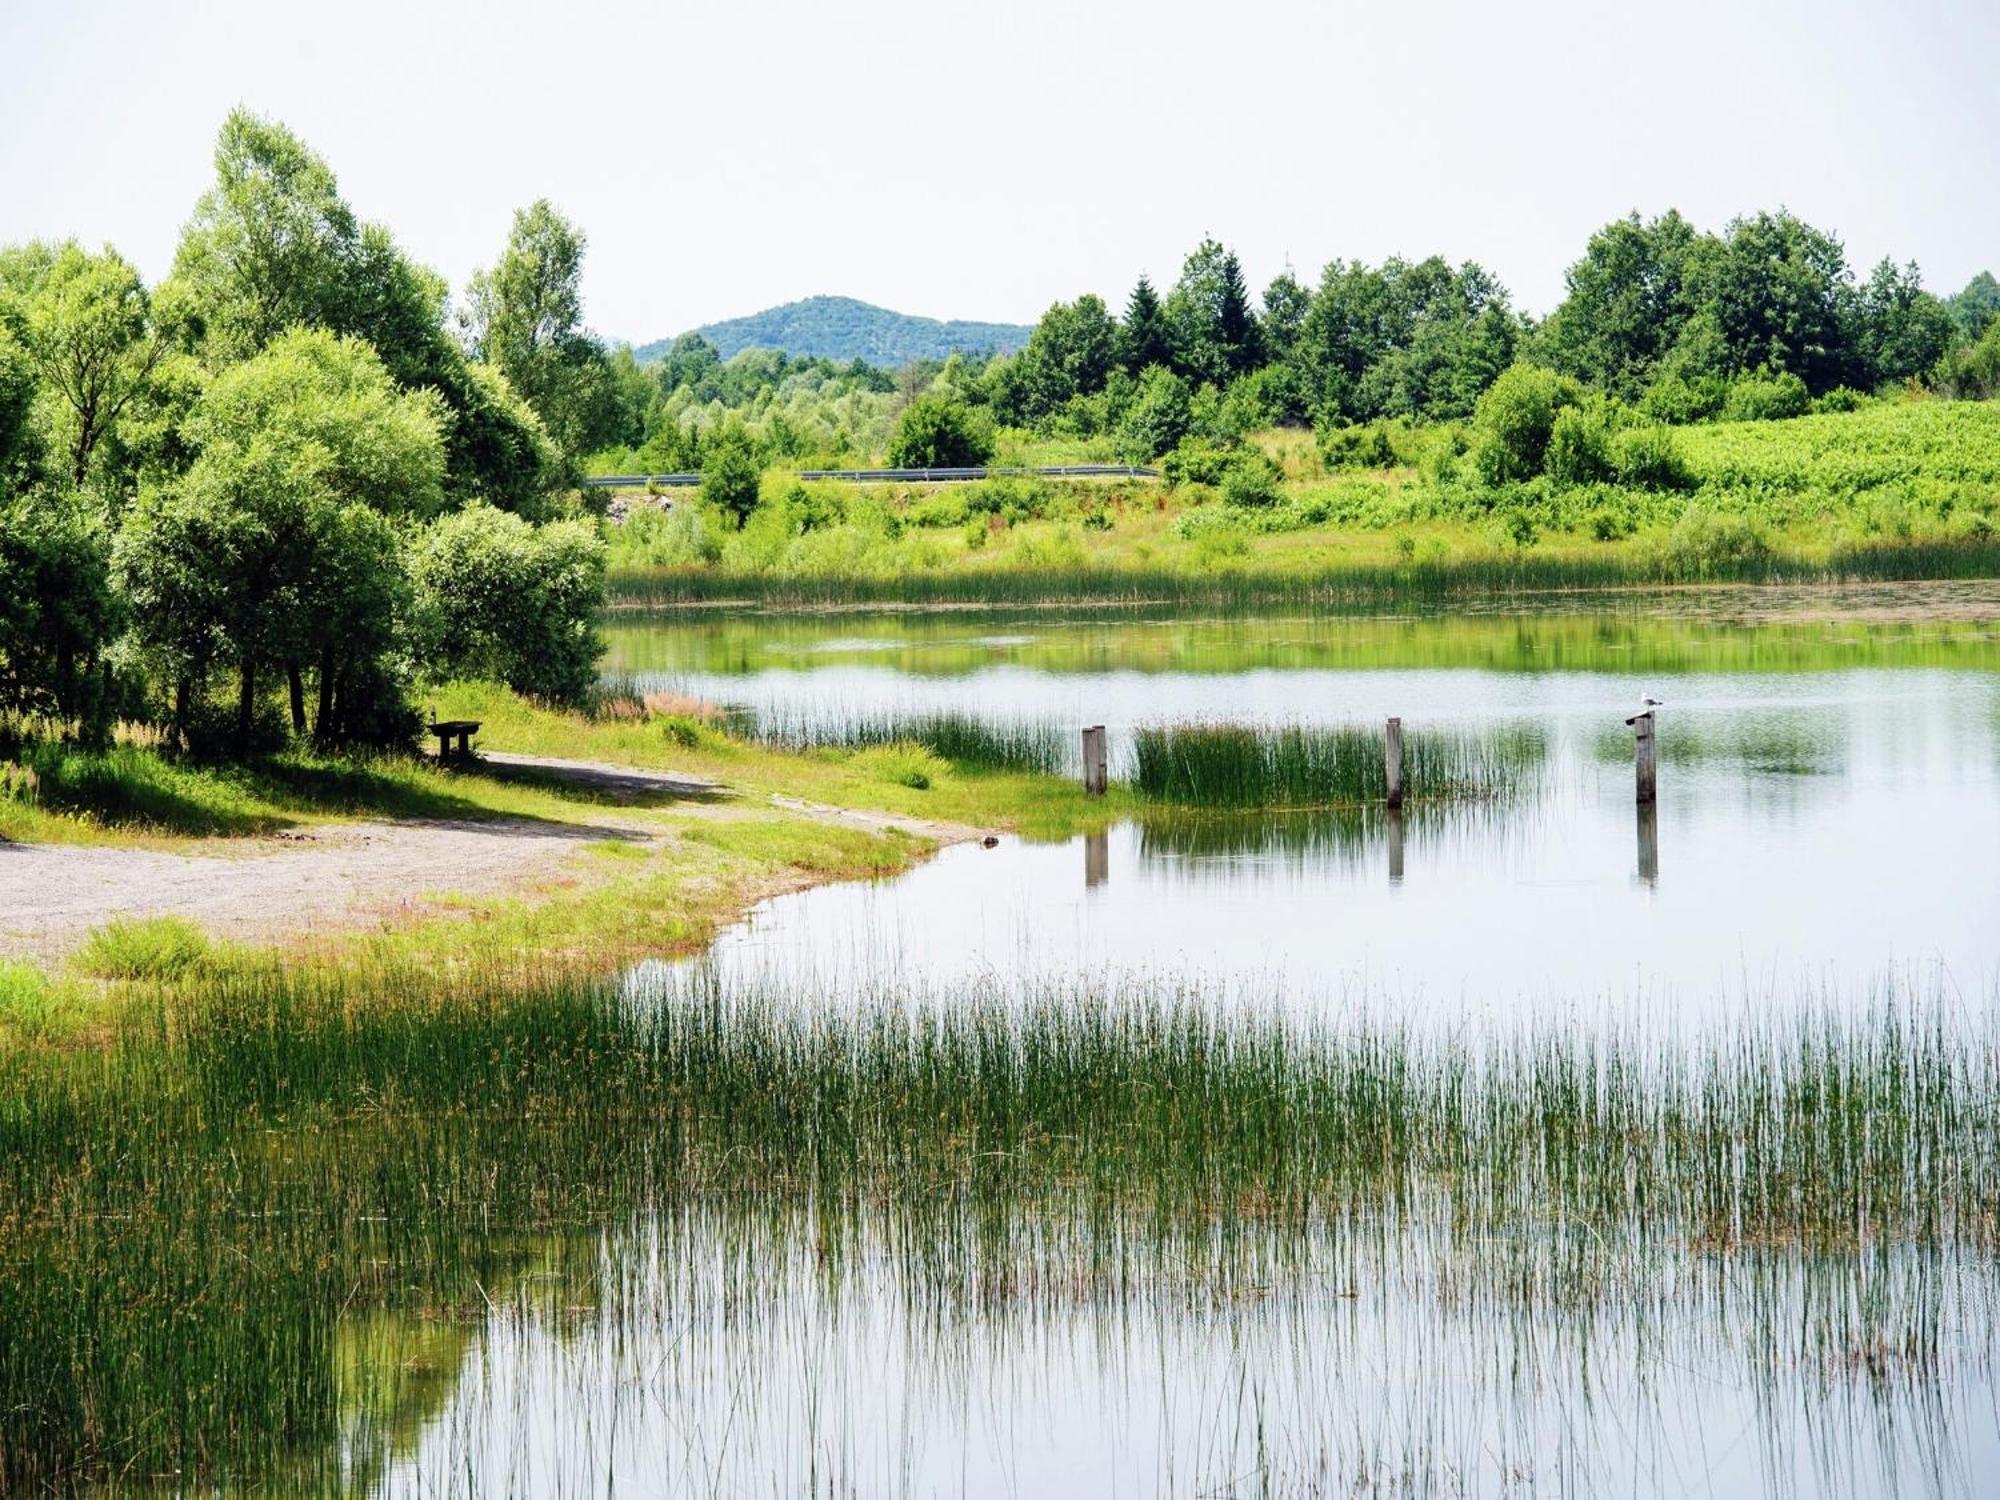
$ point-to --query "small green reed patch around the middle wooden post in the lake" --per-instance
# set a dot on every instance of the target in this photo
(1311, 767)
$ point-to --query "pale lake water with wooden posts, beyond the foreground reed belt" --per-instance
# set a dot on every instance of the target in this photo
(1829, 813)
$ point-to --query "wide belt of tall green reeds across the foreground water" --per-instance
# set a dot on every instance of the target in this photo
(193, 1211)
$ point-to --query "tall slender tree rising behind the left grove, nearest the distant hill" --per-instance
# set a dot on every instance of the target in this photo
(527, 319)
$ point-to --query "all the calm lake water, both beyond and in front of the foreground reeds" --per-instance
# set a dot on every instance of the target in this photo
(1829, 825)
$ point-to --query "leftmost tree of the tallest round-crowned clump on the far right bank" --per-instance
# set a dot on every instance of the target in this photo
(1627, 303)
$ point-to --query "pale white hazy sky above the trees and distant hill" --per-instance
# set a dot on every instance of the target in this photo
(979, 161)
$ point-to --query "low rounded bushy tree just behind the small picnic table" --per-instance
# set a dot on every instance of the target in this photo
(511, 601)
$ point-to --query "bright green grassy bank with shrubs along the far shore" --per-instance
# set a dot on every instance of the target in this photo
(1893, 491)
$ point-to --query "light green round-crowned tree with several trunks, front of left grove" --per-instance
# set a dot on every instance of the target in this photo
(257, 557)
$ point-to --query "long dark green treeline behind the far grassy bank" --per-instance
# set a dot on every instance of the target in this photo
(1673, 323)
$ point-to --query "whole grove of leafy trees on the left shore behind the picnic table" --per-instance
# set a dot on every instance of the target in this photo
(271, 495)
